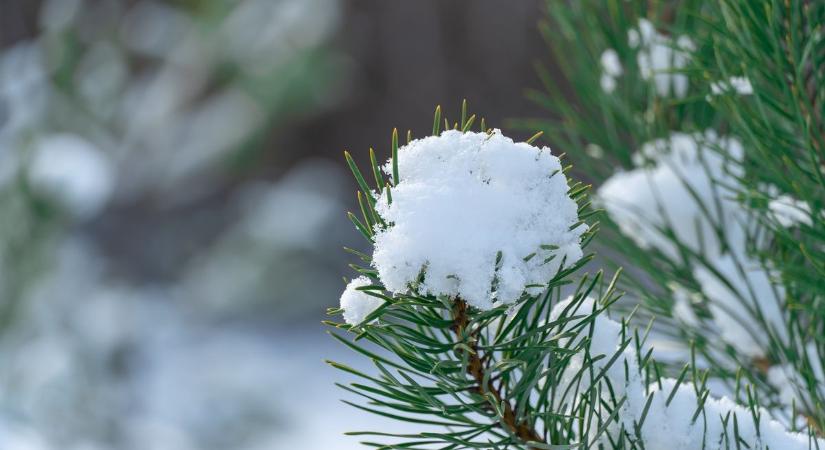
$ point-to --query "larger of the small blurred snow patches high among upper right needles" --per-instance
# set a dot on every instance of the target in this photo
(660, 58)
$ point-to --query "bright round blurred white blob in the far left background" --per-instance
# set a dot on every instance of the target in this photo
(73, 171)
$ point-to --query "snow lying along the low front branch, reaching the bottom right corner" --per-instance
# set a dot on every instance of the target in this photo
(667, 413)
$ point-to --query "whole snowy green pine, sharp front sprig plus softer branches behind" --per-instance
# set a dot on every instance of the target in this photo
(713, 112)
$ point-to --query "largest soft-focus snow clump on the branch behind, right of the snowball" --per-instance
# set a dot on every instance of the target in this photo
(659, 193)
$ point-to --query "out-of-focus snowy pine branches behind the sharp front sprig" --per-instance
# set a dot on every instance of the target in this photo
(714, 197)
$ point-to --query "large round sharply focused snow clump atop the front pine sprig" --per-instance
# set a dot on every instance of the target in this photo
(465, 197)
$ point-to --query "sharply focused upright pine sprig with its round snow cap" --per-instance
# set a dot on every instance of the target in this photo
(471, 232)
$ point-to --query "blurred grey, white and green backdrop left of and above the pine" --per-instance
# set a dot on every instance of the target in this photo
(174, 202)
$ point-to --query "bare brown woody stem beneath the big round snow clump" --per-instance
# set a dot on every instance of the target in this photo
(476, 366)
